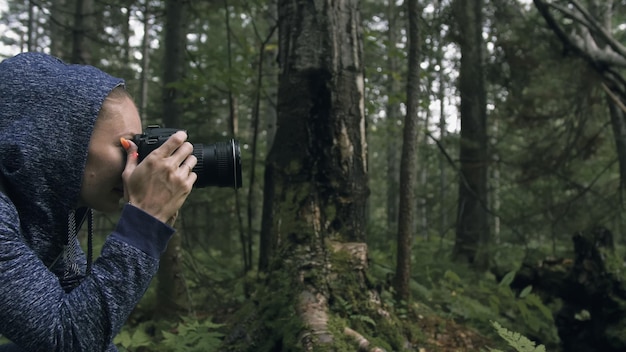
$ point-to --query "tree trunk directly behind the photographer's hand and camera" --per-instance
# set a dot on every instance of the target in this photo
(172, 297)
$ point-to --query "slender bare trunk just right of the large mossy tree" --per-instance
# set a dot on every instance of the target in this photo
(408, 163)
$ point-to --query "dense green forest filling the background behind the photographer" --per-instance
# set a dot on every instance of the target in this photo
(494, 137)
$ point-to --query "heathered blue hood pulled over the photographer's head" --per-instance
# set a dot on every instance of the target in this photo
(47, 113)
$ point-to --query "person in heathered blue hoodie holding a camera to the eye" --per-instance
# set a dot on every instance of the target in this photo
(65, 149)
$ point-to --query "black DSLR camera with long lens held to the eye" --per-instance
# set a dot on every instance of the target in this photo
(218, 164)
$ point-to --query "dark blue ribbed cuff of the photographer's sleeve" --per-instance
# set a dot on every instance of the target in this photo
(143, 231)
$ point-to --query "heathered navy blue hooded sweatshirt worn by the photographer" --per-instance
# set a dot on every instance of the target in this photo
(48, 299)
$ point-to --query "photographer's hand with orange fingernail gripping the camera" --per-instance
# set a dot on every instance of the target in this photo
(160, 184)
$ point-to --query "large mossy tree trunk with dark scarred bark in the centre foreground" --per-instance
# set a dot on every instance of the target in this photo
(314, 295)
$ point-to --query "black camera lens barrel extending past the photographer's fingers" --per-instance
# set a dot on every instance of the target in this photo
(218, 164)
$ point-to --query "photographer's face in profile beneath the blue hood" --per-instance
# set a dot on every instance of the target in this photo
(102, 187)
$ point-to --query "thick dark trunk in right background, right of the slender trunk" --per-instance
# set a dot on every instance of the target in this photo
(472, 232)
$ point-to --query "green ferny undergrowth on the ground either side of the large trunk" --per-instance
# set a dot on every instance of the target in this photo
(452, 309)
